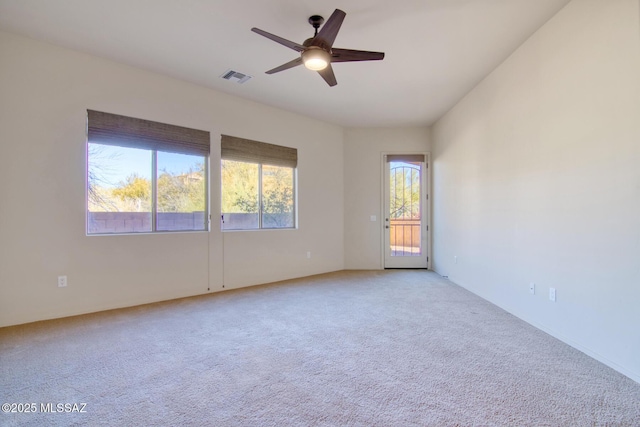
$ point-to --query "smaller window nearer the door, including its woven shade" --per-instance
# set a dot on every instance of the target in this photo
(258, 185)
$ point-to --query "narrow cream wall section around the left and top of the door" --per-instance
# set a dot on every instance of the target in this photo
(363, 172)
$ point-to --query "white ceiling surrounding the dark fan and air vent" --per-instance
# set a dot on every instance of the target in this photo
(436, 50)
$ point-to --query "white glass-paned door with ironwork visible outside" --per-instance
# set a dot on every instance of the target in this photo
(405, 211)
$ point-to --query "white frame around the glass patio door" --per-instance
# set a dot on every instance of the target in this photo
(427, 213)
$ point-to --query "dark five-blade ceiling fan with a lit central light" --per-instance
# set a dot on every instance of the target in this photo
(317, 53)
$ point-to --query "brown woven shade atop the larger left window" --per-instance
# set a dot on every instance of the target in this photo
(123, 131)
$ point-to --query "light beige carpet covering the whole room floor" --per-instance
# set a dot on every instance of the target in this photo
(372, 348)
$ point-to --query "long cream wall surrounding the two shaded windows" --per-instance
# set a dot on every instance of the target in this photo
(44, 93)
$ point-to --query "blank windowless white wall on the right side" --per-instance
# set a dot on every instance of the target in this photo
(536, 179)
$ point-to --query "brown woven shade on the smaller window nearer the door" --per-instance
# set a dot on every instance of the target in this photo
(246, 150)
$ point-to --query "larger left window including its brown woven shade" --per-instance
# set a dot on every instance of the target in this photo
(145, 176)
